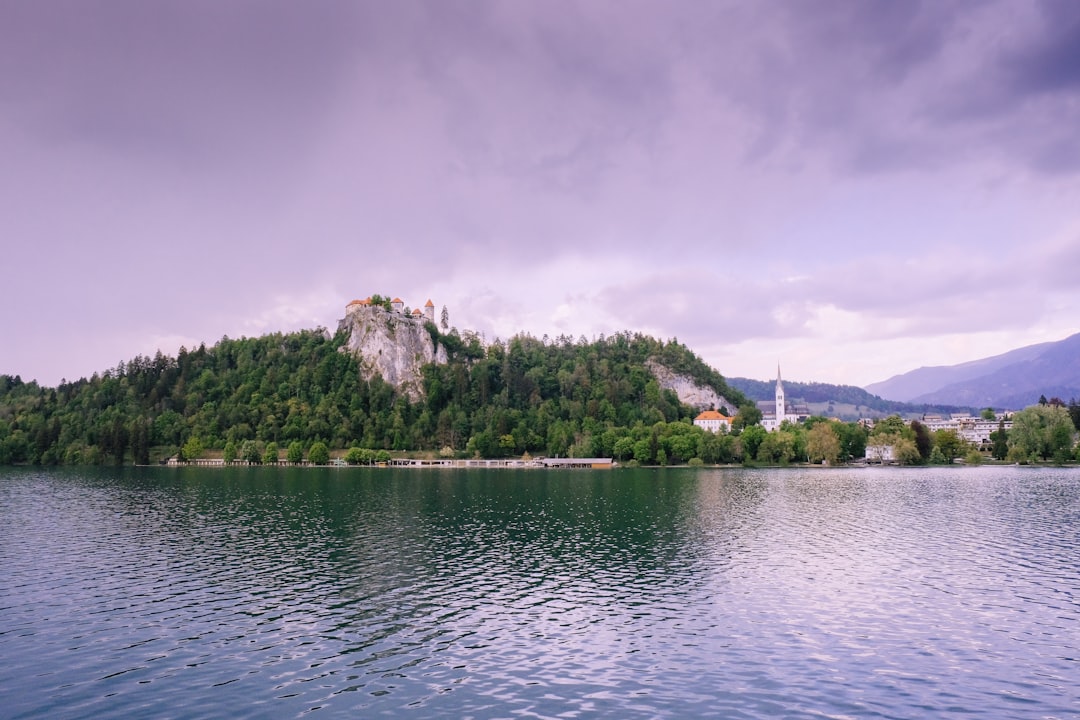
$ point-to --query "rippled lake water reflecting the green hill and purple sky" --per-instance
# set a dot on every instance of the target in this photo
(499, 594)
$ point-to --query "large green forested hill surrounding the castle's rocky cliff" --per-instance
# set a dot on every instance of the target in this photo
(525, 396)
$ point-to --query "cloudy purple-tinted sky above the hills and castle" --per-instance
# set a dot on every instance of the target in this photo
(848, 189)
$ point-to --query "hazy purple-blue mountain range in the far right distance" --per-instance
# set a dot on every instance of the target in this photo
(1009, 382)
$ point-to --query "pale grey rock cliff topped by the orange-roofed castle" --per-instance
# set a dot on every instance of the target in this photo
(391, 345)
